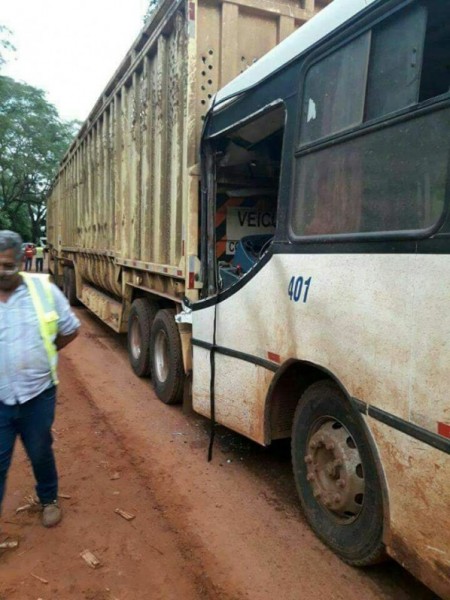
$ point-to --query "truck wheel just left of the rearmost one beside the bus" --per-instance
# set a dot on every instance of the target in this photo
(140, 321)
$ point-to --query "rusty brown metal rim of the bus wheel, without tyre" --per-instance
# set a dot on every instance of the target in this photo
(334, 470)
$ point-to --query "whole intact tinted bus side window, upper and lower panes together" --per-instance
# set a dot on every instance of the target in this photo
(394, 178)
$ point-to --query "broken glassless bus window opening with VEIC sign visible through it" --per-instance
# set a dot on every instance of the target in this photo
(247, 180)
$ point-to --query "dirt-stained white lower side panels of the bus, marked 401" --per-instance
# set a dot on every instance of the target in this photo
(357, 319)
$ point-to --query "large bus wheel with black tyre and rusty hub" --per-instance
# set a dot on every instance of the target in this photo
(336, 475)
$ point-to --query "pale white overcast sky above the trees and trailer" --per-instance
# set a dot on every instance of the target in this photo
(70, 48)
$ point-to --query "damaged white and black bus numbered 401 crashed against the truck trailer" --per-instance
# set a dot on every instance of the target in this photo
(325, 314)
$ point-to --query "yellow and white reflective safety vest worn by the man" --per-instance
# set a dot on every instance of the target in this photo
(44, 305)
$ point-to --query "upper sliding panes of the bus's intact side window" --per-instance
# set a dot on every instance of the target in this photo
(408, 64)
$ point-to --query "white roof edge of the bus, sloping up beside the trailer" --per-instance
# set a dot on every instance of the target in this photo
(329, 19)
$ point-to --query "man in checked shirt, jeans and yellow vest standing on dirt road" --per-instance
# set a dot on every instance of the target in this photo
(35, 322)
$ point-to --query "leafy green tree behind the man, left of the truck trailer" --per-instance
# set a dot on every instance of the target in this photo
(33, 140)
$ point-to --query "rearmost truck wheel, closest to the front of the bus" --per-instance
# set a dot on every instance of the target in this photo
(166, 360)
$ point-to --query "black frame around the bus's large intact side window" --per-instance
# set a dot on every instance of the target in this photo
(365, 128)
